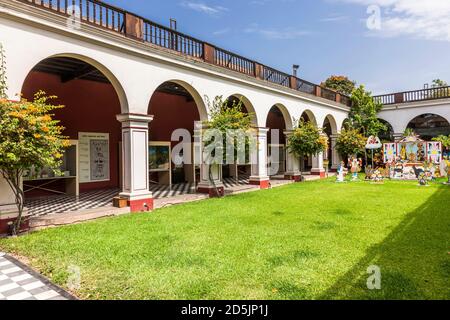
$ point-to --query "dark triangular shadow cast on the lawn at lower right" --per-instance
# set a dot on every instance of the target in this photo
(414, 259)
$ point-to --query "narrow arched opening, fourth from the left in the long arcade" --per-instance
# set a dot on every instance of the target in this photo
(277, 123)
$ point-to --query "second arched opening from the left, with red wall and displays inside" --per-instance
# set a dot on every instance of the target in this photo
(175, 106)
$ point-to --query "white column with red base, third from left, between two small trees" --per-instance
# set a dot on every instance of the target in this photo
(258, 158)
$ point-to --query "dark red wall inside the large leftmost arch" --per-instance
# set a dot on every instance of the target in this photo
(89, 107)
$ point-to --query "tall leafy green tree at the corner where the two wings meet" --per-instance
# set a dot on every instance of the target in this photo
(363, 114)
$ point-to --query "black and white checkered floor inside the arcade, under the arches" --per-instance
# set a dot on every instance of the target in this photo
(103, 198)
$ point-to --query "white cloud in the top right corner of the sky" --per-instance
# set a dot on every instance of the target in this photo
(426, 19)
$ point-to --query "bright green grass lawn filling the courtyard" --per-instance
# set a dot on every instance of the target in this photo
(304, 241)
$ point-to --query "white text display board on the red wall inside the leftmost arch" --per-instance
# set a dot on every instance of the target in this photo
(93, 157)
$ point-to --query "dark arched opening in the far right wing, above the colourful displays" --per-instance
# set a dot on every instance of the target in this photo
(429, 126)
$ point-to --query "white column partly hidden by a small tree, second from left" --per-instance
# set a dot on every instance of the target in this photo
(205, 184)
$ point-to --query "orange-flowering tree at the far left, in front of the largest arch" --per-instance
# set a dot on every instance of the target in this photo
(28, 137)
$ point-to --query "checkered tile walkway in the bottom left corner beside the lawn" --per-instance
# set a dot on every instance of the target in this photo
(18, 282)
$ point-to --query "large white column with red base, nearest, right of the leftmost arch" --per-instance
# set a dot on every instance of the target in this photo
(135, 162)
